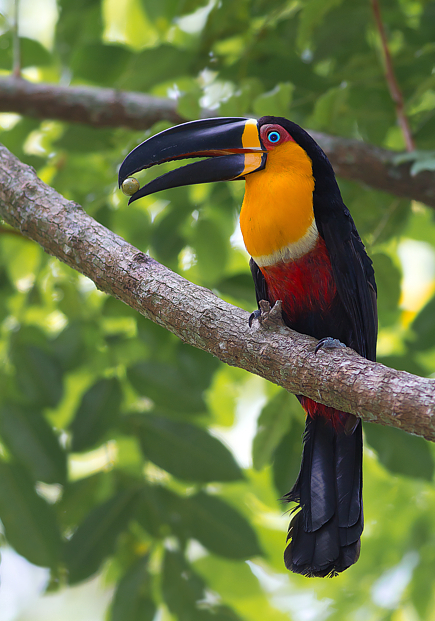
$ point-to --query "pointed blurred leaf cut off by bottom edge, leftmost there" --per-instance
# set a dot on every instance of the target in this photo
(133, 596)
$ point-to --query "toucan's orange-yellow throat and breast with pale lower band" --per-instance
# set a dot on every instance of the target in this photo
(277, 217)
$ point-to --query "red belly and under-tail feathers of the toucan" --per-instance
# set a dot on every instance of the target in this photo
(305, 286)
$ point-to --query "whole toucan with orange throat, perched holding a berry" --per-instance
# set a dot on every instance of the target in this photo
(305, 251)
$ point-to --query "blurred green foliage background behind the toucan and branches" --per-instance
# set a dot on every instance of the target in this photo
(125, 458)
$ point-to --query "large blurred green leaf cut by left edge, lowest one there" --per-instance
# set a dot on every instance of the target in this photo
(28, 521)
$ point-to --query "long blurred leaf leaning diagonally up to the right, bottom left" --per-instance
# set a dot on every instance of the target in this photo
(96, 537)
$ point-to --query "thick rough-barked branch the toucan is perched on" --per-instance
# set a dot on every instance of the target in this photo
(340, 378)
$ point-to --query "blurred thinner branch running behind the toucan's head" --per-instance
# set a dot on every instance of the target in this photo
(103, 107)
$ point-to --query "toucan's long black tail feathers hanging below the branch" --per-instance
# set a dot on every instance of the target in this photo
(324, 534)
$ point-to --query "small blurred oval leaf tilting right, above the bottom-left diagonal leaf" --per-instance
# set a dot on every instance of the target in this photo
(97, 413)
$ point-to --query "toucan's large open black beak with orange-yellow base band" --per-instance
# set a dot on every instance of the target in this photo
(232, 145)
